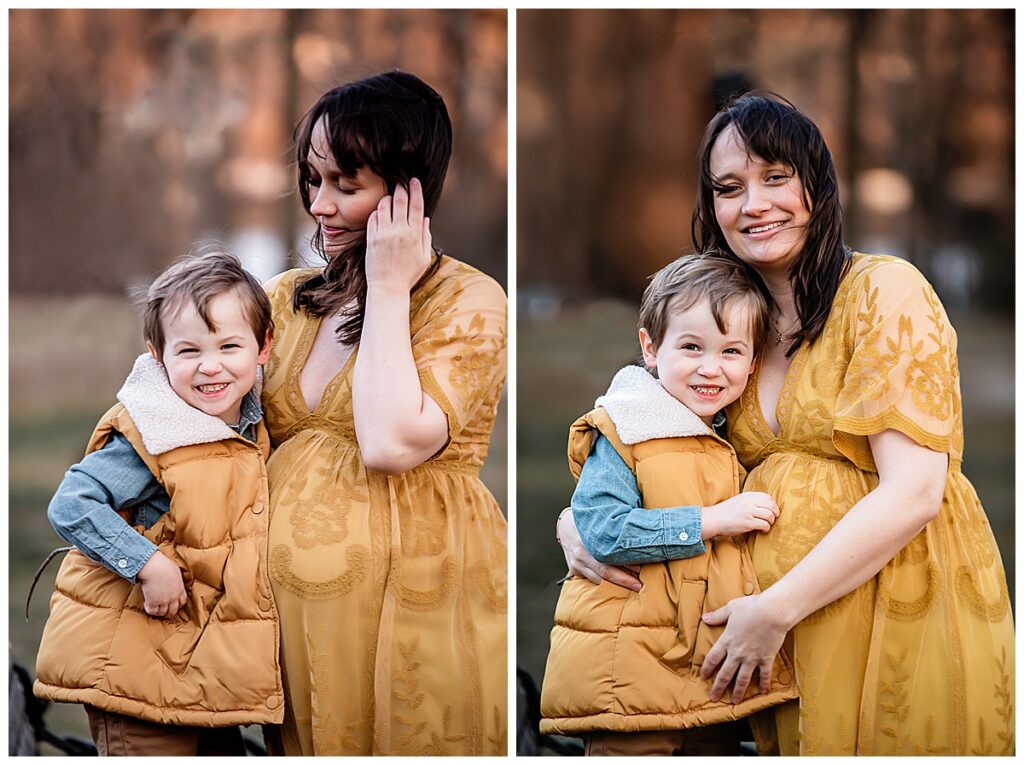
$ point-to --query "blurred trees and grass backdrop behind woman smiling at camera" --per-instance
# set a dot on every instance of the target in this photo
(917, 107)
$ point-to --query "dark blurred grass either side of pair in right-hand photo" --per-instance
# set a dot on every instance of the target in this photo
(565, 364)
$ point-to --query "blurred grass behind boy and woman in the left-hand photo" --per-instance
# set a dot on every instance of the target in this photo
(68, 360)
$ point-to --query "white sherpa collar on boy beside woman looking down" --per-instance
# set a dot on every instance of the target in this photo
(164, 420)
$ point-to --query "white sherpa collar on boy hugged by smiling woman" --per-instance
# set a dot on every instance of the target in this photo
(642, 409)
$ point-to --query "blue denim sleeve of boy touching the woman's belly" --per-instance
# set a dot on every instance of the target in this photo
(613, 523)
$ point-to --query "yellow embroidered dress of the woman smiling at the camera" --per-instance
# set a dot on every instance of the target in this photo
(919, 660)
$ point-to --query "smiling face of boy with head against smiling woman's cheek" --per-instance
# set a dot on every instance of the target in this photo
(699, 365)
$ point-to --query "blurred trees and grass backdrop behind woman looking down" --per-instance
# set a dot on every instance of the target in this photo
(135, 135)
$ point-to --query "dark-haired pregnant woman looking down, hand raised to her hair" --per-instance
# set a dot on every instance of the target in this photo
(388, 555)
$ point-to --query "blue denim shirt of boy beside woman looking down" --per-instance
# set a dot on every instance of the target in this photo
(83, 512)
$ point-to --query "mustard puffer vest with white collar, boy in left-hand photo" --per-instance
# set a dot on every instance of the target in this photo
(217, 663)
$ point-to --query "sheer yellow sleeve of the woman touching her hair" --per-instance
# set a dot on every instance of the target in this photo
(460, 348)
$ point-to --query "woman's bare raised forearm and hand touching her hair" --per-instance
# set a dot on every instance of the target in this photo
(398, 426)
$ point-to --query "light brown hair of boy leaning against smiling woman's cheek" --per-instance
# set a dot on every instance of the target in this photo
(714, 277)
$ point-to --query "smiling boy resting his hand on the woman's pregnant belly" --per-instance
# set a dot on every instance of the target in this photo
(624, 667)
